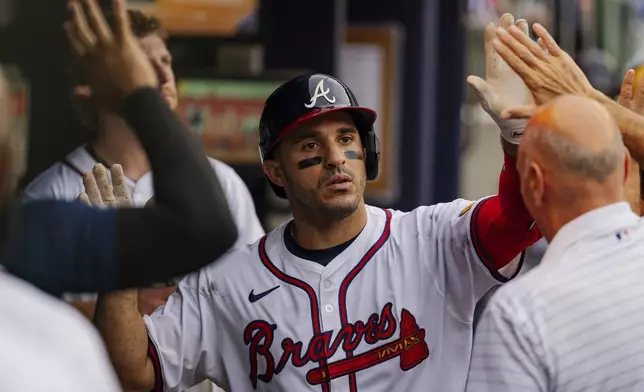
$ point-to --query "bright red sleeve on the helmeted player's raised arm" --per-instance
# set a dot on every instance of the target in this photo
(502, 227)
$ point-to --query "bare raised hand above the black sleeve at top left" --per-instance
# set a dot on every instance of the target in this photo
(113, 60)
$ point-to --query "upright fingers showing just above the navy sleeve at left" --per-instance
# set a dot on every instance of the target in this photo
(103, 192)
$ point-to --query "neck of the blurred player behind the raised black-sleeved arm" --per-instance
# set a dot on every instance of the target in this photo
(116, 143)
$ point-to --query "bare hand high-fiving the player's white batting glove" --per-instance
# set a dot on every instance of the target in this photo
(548, 73)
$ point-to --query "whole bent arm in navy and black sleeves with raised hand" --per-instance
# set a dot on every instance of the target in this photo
(88, 250)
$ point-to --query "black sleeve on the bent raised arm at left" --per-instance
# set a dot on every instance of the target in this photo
(190, 221)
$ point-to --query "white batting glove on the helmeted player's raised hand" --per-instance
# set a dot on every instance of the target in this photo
(502, 87)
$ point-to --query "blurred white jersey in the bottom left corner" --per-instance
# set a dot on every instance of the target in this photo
(47, 346)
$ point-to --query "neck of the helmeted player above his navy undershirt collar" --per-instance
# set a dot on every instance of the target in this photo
(315, 234)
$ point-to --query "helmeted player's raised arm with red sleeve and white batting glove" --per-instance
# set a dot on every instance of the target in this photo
(501, 226)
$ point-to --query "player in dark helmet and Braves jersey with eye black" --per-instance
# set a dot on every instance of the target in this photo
(345, 296)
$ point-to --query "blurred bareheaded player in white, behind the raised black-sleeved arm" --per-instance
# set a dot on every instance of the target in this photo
(114, 142)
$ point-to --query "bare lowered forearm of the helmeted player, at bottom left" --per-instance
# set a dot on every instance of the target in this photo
(118, 320)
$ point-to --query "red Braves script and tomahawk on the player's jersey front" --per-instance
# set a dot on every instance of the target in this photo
(410, 347)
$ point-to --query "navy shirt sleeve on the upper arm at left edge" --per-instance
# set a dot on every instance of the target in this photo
(63, 247)
